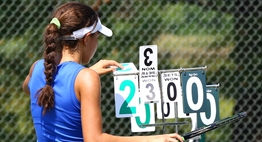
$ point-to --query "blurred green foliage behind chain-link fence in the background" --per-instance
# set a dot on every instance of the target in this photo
(224, 35)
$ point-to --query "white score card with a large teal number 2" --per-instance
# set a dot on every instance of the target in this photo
(126, 91)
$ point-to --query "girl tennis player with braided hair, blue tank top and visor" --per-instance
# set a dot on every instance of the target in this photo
(65, 96)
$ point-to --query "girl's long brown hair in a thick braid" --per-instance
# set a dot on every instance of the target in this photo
(72, 16)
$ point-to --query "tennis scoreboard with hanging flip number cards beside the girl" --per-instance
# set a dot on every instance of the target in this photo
(172, 93)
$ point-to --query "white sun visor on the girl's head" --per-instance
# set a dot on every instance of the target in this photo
(78, 34)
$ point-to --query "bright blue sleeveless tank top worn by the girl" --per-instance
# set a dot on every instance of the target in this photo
(63, 121)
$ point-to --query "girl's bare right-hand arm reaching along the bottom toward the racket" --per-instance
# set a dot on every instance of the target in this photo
(88, 87)
